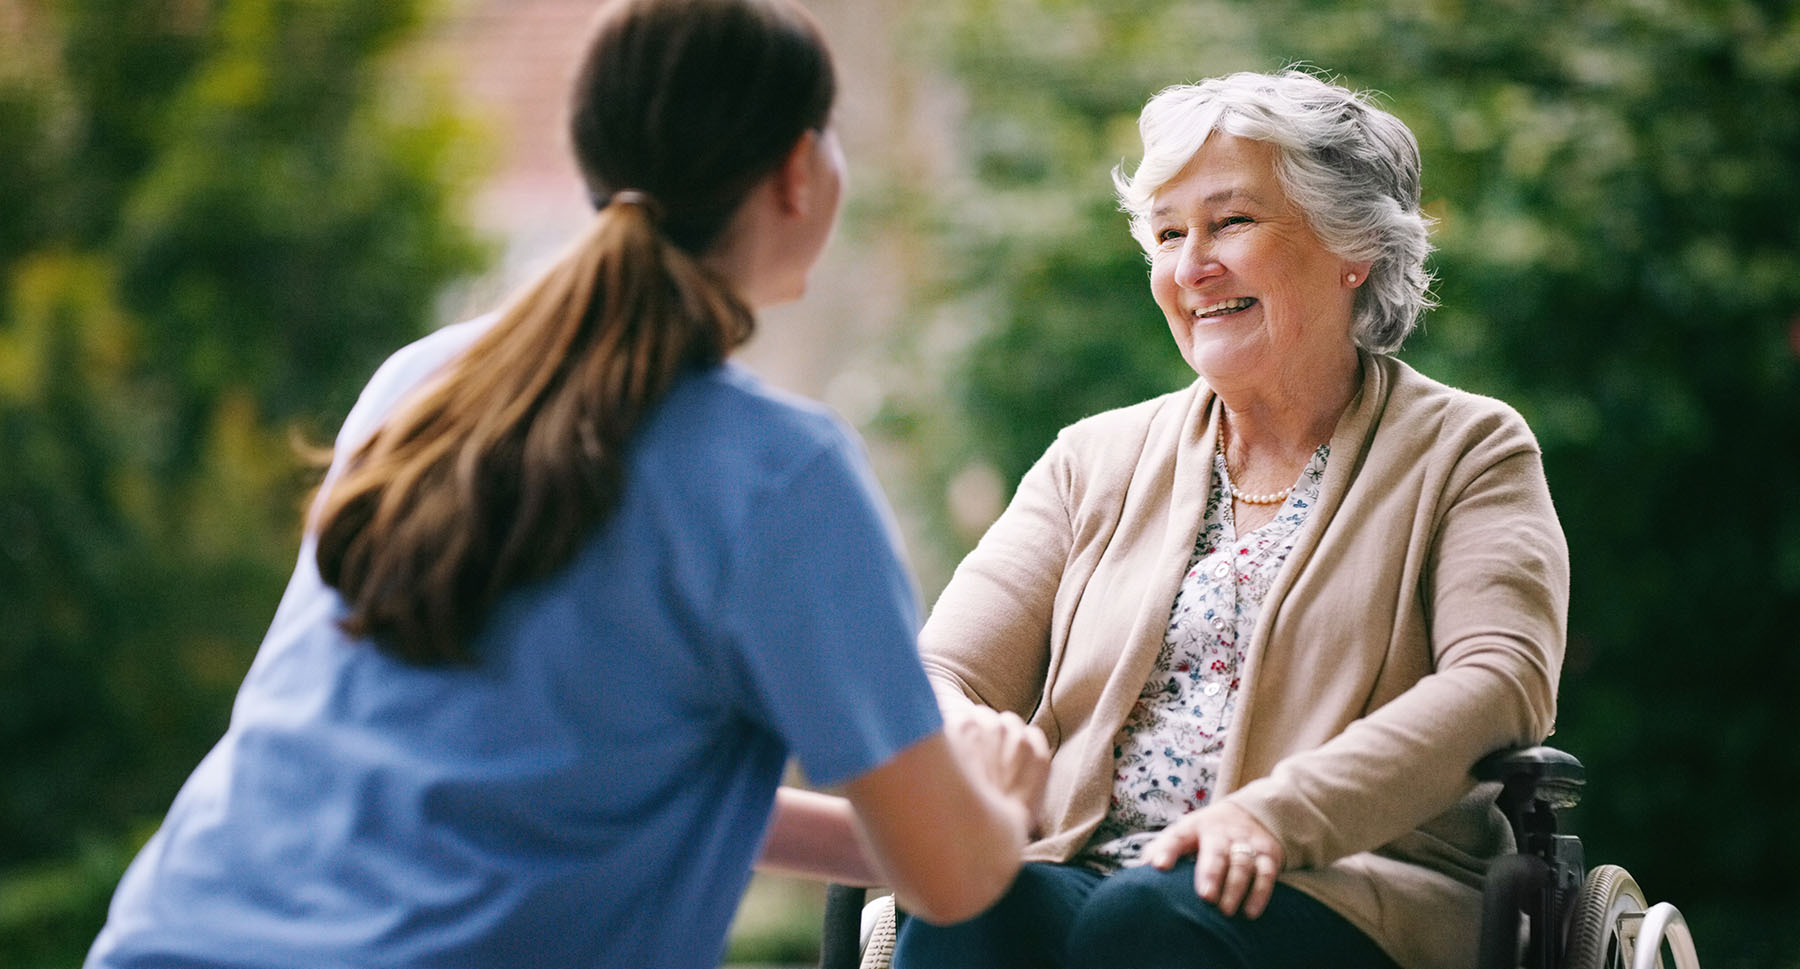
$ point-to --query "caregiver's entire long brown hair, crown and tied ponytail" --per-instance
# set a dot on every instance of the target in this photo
(499, 469)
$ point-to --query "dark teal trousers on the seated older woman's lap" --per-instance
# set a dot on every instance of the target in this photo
(1068, 918)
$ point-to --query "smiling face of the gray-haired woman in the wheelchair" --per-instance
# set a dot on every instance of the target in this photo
(1250, 293)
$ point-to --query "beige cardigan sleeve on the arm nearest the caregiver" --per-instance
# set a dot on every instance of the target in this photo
(989, 635)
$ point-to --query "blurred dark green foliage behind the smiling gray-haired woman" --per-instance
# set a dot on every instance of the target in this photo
(1621, 258)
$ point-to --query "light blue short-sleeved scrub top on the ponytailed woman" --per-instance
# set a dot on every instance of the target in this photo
(595, 792)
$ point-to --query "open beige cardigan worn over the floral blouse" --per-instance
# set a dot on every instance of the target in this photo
(1417, 626)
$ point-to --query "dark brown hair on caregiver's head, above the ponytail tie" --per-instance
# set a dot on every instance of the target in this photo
(688, 104)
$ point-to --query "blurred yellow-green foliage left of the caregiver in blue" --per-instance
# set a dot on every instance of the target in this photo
(215, 219)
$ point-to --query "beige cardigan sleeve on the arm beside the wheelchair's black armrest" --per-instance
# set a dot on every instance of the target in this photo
(1493, 595)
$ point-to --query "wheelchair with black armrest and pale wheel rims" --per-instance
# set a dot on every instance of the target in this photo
(1542, 909)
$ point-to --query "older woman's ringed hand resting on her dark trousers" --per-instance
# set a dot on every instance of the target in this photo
(1236, 858)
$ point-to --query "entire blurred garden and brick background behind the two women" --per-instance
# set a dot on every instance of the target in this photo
(217, 217)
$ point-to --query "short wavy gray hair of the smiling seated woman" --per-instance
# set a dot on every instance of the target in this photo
(1349, 167)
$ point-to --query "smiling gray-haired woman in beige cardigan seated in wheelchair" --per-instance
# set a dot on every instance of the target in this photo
(1268, 622)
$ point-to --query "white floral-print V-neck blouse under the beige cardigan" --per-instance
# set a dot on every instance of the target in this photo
(1167, 756)
